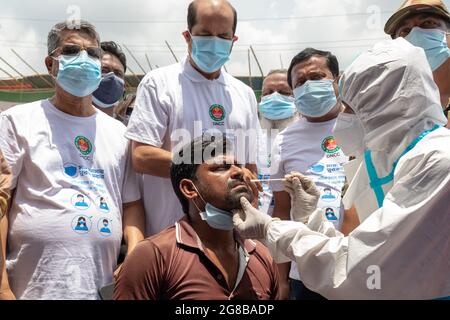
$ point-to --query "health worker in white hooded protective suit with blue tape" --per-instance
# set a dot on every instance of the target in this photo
(401, 250)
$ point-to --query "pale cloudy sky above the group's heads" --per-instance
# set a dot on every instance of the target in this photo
(277, 30)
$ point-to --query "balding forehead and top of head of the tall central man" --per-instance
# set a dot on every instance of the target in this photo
(220, 9)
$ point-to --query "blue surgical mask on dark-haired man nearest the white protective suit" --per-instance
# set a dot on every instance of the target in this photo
(315, 98)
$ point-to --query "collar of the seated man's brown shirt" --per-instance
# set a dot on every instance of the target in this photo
(187, 236)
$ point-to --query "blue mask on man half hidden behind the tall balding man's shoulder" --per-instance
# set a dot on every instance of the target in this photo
(277, 106)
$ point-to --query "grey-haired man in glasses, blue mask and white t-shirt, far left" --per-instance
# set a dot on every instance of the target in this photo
(58, 149)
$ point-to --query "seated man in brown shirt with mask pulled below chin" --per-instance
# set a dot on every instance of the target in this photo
(201, 258)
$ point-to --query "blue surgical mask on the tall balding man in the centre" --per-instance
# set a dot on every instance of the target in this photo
(210, 53)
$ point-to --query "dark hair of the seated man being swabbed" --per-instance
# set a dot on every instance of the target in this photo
(185, 167)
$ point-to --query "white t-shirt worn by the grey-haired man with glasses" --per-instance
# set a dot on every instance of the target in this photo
(71, 175)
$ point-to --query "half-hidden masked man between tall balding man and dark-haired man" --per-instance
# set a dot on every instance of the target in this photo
(276, 111)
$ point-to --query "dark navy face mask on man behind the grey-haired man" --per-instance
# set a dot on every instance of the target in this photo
(111, 89)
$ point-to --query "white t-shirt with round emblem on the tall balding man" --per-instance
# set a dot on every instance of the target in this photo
(173, 98)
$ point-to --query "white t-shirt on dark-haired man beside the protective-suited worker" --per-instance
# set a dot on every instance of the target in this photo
(311, 149)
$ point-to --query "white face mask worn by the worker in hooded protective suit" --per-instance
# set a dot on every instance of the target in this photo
(349, 134)
